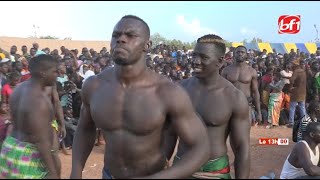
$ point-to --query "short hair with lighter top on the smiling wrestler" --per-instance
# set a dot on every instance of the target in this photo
(214, 39)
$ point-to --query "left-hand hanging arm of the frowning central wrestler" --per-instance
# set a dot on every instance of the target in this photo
(85, 135)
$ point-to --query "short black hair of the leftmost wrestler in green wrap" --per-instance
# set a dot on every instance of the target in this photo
(41, 63)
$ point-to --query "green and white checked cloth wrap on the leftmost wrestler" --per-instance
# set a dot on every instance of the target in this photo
(21, 160)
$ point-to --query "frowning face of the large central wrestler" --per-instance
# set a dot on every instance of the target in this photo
(129, 41)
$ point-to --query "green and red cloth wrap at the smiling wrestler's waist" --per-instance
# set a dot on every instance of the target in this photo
(213, 169)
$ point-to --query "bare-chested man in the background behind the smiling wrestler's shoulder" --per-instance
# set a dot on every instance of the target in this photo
(245, 78)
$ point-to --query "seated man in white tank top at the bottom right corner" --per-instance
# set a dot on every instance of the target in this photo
(303, 161)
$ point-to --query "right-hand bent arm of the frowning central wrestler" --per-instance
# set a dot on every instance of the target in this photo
(190, 130)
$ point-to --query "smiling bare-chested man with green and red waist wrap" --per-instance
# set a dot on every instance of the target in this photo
(222, 107)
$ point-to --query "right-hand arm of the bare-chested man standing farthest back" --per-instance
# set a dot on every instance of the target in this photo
(255, 93)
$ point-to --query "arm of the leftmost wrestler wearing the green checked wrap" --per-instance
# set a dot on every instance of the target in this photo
(40, 127)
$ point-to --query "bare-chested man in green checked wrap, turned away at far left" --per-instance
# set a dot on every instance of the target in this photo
(28, 153)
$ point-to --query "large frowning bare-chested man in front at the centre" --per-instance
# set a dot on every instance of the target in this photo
(134, 107)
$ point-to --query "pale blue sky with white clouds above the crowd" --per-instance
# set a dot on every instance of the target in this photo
(186, 21)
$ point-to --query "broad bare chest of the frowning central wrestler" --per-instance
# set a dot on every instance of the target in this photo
(137, 110)
